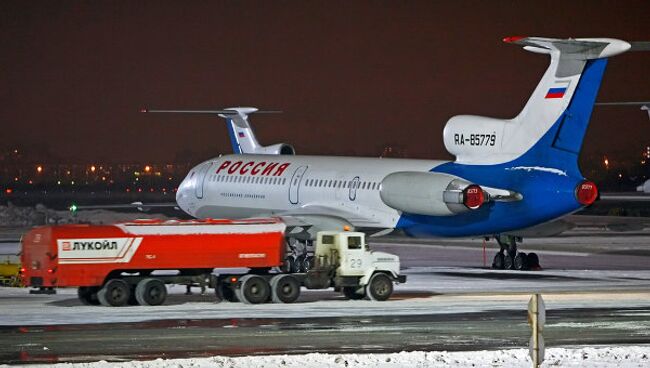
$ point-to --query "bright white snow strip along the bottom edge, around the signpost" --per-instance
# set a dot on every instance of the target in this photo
(621, 356)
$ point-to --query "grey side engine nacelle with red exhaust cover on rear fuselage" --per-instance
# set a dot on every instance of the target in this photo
(432, 194)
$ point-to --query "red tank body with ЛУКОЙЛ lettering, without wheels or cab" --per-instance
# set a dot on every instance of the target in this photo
(86, 255)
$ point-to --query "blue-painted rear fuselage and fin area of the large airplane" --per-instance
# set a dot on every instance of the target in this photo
(547, 194)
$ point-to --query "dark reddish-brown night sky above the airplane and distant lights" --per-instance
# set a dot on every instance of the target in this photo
(349, 76)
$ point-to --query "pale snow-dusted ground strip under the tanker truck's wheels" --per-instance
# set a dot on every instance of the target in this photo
(420, 295)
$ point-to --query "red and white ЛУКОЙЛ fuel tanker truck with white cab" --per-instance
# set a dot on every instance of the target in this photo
(131, 263)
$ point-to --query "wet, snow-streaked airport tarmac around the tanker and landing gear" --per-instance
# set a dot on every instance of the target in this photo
(596, 285)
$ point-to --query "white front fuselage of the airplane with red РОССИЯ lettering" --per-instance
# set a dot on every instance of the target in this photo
(237, 186)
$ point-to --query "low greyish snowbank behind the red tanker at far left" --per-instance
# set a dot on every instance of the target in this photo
(13, 216)
